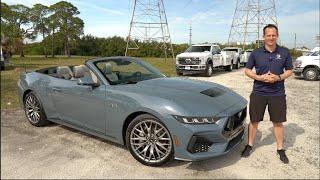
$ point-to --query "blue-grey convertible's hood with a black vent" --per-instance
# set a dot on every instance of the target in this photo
(184, 96)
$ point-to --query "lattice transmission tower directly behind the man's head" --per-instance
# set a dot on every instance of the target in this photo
(250, 16)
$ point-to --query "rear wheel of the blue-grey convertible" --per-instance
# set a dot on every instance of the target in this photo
(34, 111)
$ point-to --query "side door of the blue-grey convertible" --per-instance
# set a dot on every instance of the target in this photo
(80, 105)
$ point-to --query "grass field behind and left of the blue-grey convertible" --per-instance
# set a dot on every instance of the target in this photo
(9, 77)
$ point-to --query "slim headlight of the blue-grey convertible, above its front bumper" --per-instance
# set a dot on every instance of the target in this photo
(196, 120)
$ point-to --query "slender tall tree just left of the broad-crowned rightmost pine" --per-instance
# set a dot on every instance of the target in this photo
(39, 18)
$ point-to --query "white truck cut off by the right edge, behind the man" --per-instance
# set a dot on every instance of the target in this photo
(308, 66)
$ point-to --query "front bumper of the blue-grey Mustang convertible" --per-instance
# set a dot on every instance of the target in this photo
(205, 141)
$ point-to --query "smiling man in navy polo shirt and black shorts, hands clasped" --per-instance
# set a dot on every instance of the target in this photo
(273, 64)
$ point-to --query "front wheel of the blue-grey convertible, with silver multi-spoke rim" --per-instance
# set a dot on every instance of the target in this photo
(149, 141)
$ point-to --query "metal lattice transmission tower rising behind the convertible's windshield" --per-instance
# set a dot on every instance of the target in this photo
(149, 24)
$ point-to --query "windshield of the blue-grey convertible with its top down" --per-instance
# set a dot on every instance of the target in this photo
(127, 71)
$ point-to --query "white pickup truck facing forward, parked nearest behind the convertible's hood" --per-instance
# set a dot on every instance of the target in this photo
(202, 58)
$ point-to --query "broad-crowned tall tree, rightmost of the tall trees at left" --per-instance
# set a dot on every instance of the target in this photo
(70, 26)
